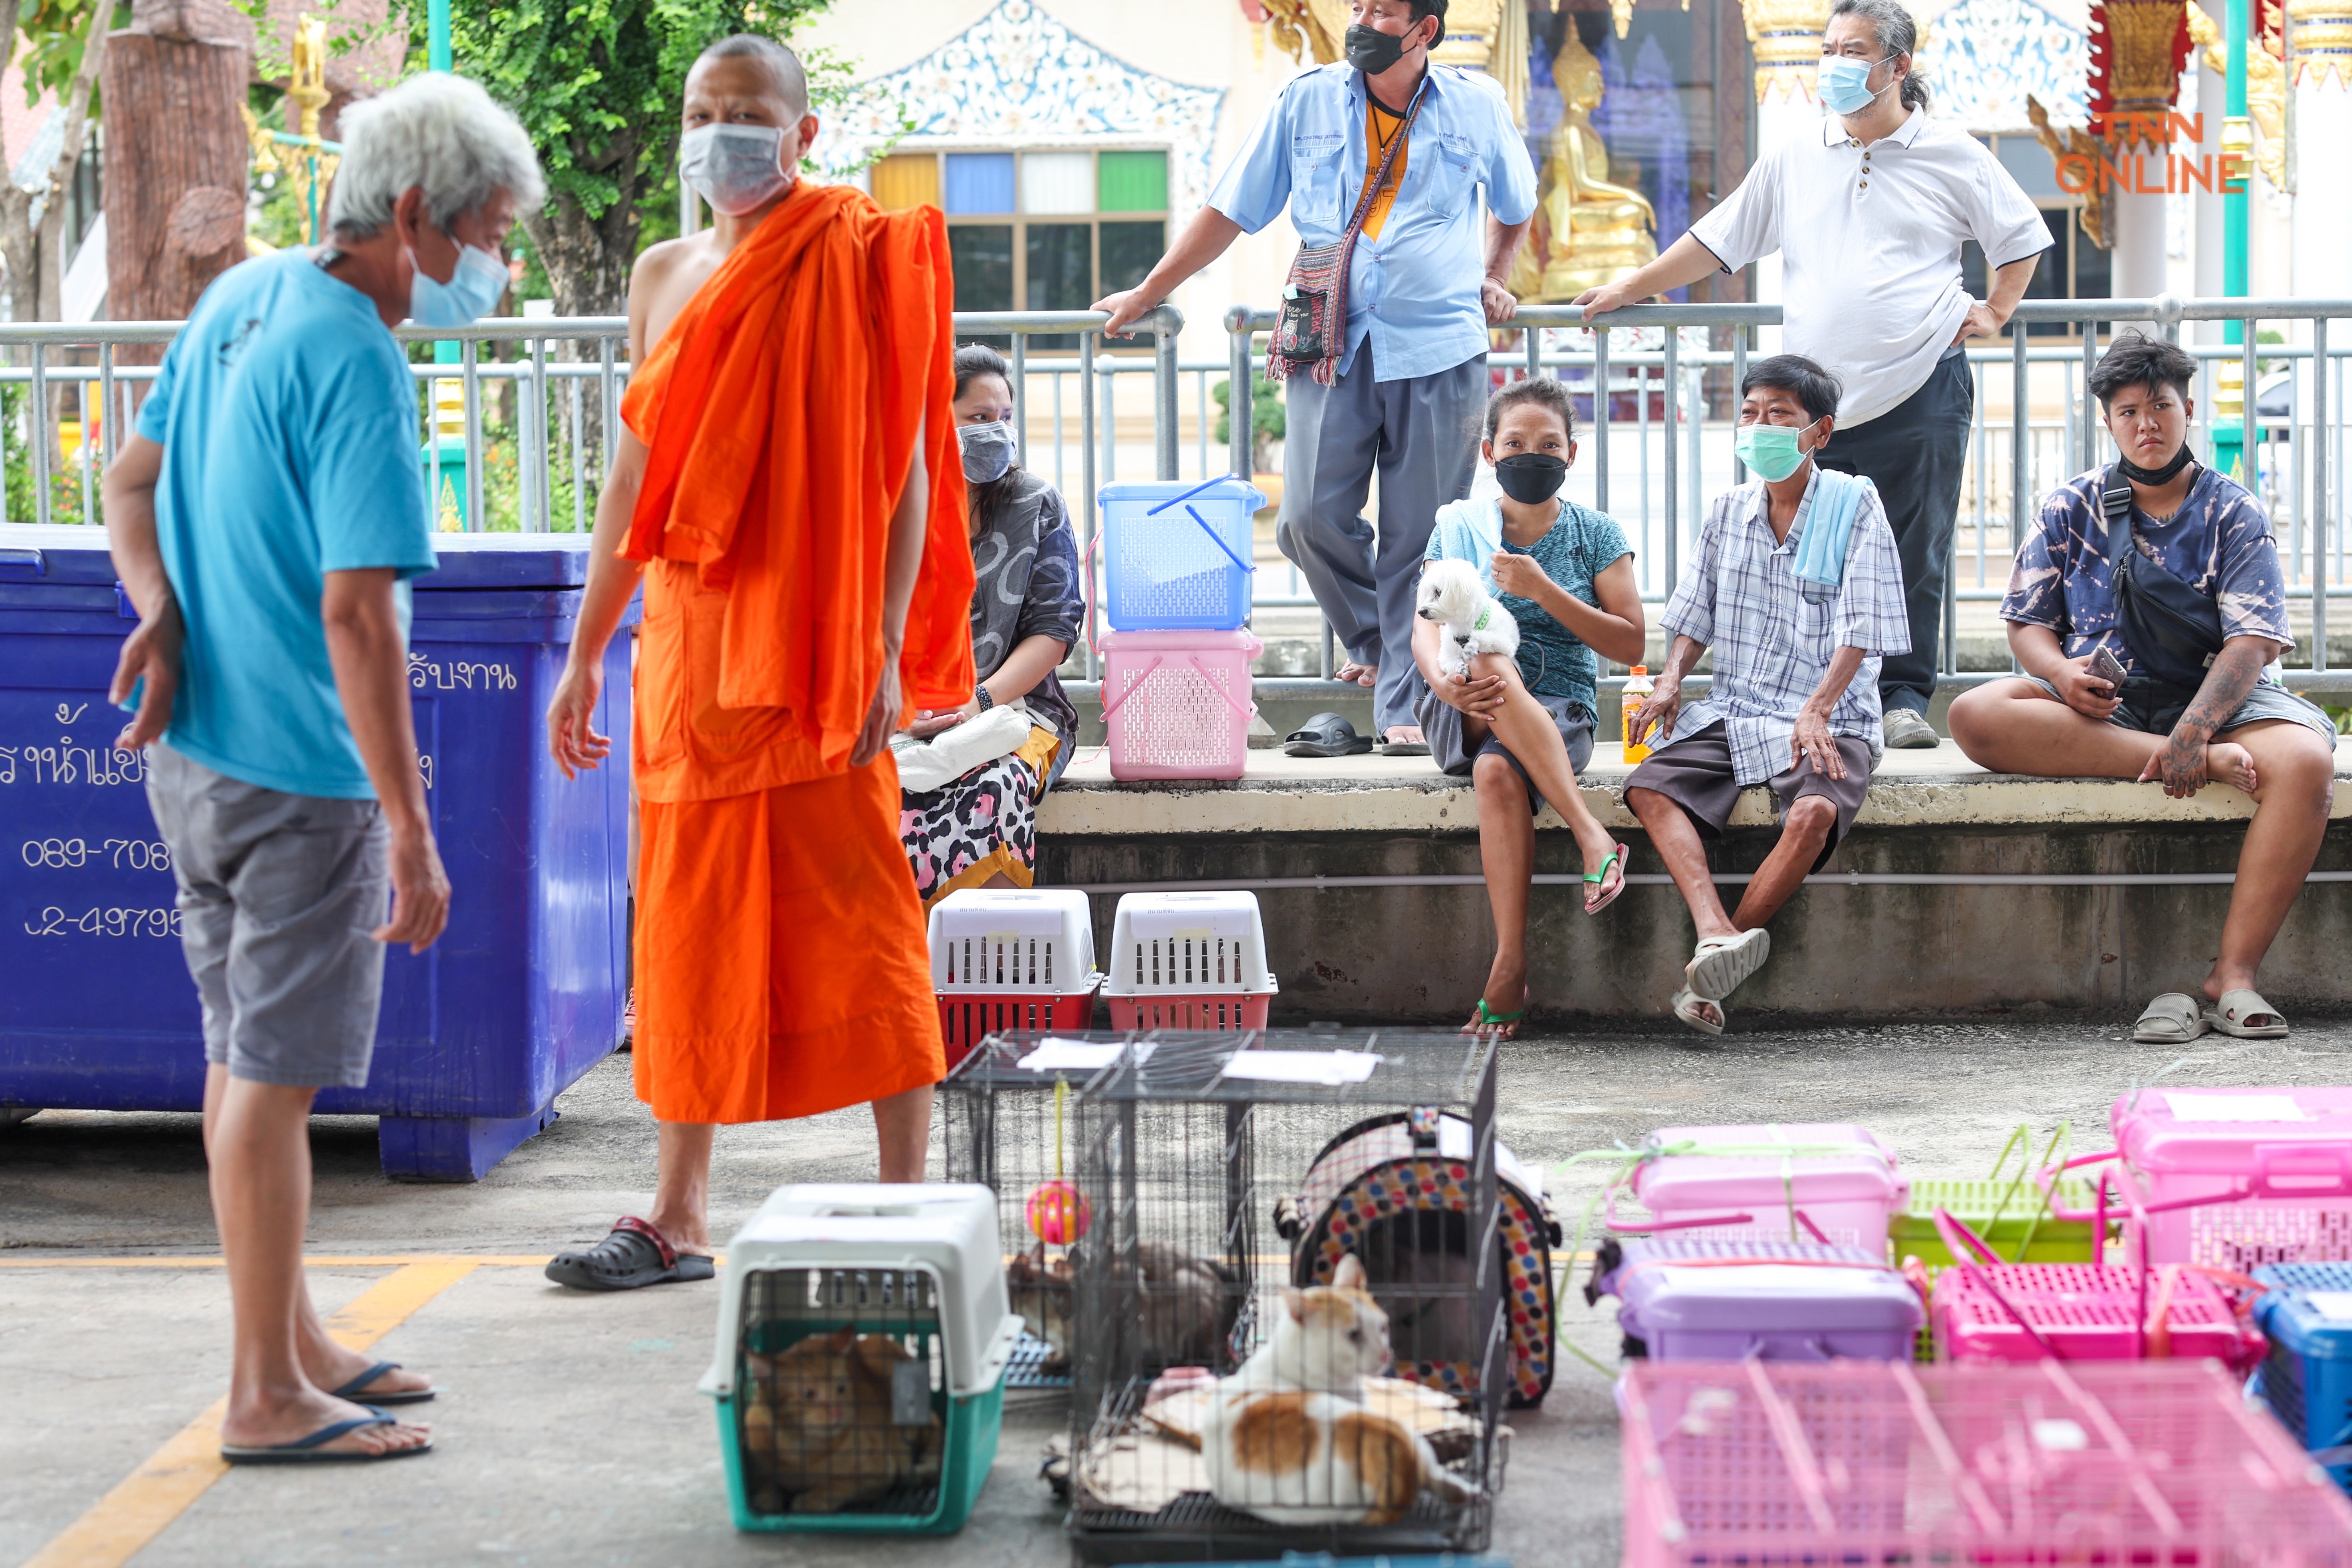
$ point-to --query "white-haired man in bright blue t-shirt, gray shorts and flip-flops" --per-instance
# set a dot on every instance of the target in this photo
(267, 518)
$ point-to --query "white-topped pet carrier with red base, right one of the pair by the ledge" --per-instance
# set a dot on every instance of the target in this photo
(1189, 963)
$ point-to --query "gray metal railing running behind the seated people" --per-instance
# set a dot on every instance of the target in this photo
(537, 398)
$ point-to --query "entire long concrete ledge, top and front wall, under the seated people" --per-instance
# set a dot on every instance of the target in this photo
(1958, 892)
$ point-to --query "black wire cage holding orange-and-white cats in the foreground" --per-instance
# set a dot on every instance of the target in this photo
(1189, 1146)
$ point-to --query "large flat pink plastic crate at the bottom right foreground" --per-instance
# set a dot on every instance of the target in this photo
(1885, 1463)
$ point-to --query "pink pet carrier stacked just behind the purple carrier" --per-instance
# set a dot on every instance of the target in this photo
(1829, 1184)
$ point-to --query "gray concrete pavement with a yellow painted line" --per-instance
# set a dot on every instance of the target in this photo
(570, 1428)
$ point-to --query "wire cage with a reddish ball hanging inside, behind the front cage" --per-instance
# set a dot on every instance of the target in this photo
(1010, 1125)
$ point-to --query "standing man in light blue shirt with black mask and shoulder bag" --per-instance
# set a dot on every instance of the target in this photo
(1424, 286)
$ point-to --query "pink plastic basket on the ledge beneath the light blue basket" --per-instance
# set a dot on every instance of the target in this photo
(1177, 704)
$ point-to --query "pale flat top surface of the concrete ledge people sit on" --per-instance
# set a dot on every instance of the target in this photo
(1410, 796)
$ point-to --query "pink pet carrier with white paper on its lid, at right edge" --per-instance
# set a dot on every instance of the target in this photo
(2231, 1179)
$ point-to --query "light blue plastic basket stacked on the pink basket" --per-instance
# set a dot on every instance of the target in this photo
(1177, 556)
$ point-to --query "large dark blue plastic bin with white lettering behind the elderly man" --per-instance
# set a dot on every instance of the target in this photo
(521, 996)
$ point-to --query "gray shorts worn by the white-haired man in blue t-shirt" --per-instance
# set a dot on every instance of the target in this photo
(276, 897)
